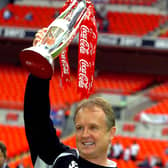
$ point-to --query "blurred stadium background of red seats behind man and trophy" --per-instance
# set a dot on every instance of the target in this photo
(131, 72)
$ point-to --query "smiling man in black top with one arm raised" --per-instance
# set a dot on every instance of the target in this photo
(95, 127)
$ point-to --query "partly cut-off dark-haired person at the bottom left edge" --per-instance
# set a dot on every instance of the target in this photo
(3, 151)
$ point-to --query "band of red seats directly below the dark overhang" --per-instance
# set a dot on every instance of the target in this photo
(12, 96)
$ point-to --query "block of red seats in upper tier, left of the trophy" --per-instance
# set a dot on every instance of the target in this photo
(19, 12)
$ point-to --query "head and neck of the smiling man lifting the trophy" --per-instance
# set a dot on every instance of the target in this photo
(94, 123)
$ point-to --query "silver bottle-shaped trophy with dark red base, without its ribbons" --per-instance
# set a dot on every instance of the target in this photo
(39, 59)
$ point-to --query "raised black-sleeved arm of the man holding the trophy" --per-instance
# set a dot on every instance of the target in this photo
(40, 132)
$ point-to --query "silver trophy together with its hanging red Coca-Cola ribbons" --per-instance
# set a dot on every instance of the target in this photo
(76, 16)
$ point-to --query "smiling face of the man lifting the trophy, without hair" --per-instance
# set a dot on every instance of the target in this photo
(92, 134)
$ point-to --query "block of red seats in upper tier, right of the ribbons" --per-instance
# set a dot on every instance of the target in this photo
(133, 23)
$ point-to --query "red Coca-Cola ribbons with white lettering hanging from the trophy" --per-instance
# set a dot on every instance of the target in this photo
(86, 53)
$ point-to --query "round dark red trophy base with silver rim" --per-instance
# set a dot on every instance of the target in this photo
(38, 62)
